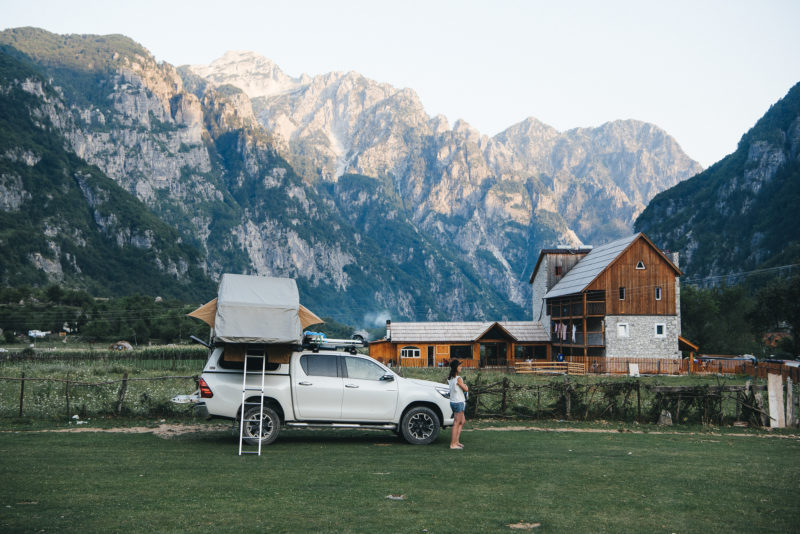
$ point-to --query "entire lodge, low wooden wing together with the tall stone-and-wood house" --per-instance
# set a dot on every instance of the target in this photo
(619, 300)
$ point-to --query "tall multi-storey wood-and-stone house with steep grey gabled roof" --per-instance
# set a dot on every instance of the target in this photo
(621, 299)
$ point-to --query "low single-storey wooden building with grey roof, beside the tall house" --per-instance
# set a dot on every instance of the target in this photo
(476, 344)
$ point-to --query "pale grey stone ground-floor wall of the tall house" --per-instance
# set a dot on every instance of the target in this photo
(642, 341)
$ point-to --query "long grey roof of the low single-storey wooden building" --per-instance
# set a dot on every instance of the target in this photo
(441, 332)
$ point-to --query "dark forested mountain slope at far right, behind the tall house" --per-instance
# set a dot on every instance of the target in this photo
(741, 213)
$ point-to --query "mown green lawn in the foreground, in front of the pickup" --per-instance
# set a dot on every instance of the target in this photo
(338, 481)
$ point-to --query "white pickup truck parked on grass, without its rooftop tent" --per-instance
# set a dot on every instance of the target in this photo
(327, 388)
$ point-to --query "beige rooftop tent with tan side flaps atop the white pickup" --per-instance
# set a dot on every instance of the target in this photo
(256, 309)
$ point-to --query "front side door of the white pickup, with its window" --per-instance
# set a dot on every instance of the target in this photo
(367, 395)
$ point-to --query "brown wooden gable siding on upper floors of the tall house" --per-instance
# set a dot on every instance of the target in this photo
(640, 284)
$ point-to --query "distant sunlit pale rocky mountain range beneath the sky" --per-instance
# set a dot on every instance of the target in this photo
(498, 199)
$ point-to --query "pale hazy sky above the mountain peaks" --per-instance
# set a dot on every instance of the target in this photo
(704, 71)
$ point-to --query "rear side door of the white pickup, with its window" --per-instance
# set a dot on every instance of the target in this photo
(318, 387)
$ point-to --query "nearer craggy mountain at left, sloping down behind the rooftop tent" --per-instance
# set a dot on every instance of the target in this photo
(206, 167)
